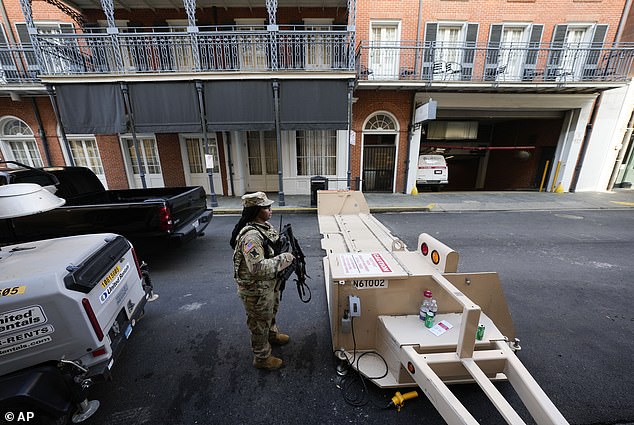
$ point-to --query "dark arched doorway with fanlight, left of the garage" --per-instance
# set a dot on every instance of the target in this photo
(379, 153)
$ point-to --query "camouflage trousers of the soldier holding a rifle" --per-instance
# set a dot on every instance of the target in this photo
(261, 311)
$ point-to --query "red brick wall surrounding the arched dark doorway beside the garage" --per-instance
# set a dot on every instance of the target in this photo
(397, 103)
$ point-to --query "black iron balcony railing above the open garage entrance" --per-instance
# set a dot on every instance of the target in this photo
(502, 63)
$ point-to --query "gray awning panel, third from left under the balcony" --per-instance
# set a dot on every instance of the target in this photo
(239, 105)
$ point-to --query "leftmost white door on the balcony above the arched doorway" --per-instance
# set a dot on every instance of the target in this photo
(384, 58)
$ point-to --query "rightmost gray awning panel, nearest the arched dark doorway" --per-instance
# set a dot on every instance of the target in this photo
(314, 105)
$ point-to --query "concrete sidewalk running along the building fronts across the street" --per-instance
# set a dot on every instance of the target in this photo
(457, 202)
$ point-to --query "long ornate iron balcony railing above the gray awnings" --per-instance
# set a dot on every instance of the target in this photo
(214, 49)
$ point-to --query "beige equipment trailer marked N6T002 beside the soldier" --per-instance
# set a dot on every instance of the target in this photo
(376, 283)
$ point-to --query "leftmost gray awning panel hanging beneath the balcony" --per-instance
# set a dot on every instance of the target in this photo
(91, 108)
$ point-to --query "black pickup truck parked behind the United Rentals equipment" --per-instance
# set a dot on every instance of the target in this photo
(176, 214)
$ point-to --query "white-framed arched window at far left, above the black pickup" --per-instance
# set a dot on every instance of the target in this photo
(18, 142)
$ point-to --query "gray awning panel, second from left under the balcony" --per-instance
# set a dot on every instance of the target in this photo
(165, 107)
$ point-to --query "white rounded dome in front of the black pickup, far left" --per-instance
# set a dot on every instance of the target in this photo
(20, 199)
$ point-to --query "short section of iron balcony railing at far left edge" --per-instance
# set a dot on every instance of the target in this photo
(18, 65)
